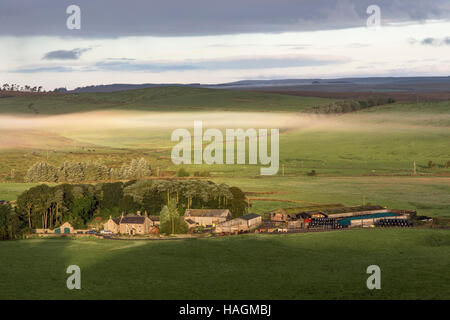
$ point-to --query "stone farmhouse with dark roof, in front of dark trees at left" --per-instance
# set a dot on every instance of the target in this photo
(130, 224)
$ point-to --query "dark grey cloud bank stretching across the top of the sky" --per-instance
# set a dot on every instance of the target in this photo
(114, 18)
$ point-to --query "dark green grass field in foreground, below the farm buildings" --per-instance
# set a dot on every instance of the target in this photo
(414, 265)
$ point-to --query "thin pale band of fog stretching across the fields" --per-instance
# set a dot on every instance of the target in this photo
(170, 120)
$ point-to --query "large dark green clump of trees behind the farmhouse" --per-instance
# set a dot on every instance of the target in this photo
(44, 206)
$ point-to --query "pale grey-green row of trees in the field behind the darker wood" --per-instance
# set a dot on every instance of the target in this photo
(75, 172)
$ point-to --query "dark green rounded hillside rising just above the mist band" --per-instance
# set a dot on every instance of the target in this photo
(157, 99)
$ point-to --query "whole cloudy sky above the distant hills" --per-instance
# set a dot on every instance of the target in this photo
(199, 41)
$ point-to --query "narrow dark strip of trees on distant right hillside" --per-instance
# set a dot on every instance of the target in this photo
(351, 106)
